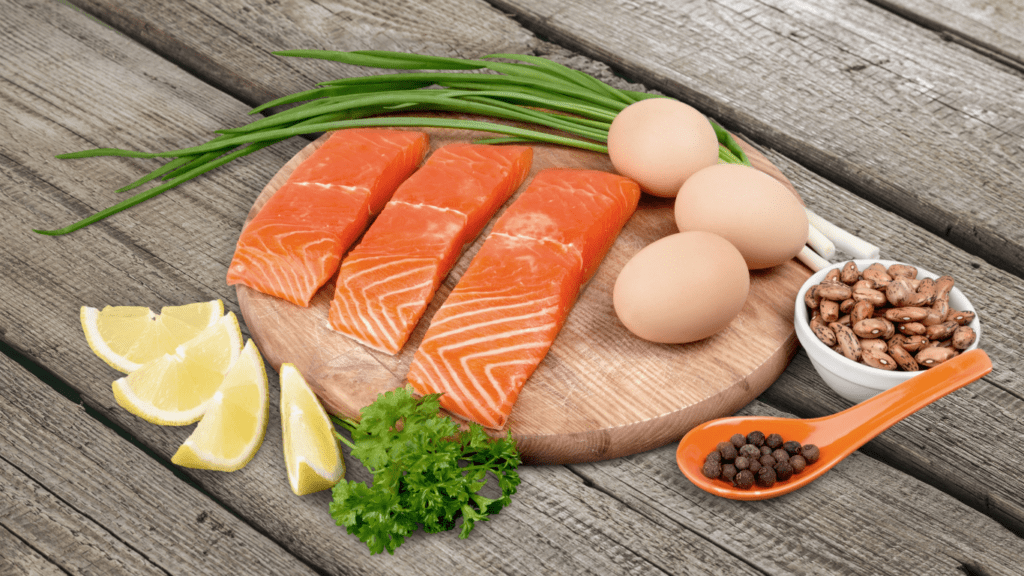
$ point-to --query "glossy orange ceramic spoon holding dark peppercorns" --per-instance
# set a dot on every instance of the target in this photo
(836, 436)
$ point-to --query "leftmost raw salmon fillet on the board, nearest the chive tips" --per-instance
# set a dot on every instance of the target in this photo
(296, 241)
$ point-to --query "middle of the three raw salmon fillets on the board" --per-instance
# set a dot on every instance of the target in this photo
(388, 281)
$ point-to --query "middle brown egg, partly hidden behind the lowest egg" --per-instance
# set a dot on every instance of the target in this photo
(754, 212)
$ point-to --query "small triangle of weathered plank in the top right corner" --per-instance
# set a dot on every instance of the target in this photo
(993, 28)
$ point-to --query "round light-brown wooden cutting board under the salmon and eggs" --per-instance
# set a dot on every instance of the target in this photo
(601, 393)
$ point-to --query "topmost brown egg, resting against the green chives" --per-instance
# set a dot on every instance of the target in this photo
(660, 143)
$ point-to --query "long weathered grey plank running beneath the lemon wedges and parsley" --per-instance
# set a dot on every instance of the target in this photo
(177, 250)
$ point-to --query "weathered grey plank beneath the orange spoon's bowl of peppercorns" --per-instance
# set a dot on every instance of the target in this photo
(845, 516)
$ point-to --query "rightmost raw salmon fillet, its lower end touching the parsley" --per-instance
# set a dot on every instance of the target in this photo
(501, 319)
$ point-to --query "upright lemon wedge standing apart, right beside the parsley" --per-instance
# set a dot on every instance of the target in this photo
(312, 454)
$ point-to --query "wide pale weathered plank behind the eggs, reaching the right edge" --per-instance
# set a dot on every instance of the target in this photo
(920, 127)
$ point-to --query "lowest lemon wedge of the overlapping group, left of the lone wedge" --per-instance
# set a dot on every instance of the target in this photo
(233, 429)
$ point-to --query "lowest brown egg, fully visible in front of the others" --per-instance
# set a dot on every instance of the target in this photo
(681, 289)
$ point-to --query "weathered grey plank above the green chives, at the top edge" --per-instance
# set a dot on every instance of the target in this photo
(229, 44)
